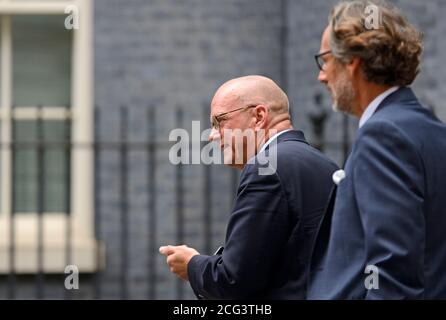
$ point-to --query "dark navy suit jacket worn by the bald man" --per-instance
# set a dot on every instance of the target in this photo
(271, 228)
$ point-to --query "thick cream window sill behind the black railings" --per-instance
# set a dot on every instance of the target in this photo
(83, 245)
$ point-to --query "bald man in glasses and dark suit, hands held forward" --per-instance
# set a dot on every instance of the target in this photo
(272, 226)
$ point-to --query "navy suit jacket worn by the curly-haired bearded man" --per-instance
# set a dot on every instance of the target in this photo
(389, 211)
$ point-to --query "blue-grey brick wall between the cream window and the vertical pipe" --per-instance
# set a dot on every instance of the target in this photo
(170, 55)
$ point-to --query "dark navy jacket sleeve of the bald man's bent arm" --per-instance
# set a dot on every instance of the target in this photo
(256, 233)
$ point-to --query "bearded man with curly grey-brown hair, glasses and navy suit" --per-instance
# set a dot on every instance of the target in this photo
(382, 235)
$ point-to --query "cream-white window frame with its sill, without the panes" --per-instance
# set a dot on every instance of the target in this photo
(83, 243)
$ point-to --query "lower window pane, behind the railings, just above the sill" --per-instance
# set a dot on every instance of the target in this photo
(26, 166)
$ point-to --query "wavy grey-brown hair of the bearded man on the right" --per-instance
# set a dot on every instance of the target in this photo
(391, 54)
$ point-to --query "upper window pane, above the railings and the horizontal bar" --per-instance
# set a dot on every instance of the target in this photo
(41, 61)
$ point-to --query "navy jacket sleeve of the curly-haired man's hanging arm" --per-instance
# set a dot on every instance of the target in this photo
(389, 188)
